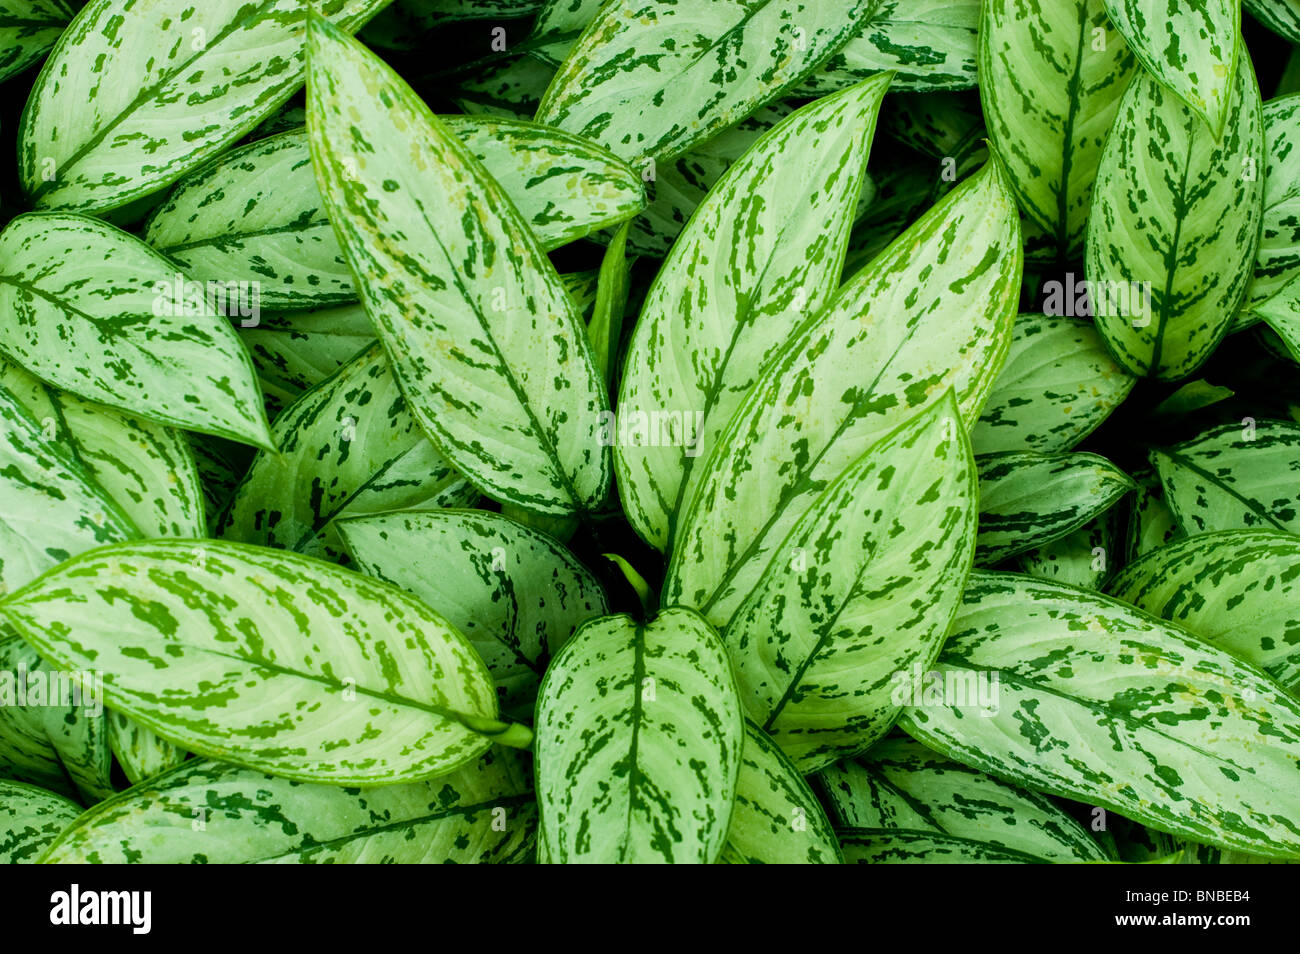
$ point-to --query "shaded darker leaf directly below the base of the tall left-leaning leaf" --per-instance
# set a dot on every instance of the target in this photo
(515, 593)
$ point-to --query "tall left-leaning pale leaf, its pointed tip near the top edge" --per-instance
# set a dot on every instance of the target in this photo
(484, 341)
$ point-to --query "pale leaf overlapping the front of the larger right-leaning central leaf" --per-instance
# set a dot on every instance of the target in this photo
(864, 587)
